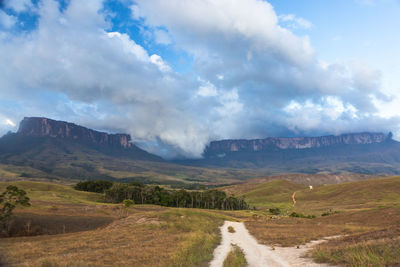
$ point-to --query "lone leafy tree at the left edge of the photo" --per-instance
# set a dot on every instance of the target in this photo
(9, 200)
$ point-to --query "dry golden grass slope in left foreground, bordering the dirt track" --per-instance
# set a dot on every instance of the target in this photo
(149, 237)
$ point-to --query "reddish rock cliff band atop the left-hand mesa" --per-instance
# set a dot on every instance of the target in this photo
(42, 127)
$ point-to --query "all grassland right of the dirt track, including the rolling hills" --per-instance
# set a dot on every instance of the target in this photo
(366, 214)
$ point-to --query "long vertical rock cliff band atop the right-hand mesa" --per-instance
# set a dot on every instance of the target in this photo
(227, 146)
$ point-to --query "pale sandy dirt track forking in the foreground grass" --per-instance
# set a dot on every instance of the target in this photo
(257, 254)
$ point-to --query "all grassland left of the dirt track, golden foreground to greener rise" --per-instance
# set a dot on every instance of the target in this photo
(143, 235)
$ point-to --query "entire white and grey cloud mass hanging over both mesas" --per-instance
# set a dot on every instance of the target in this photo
(252, 77)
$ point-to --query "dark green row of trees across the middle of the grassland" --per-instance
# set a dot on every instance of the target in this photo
(148, 194)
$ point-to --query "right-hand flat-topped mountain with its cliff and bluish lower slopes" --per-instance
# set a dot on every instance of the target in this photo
(365, 153)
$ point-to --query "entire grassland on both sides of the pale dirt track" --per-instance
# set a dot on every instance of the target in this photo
(365, 214)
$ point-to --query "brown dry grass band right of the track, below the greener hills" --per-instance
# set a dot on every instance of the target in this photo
(286, 231)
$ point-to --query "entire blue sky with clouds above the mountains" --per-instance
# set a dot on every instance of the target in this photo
(178, 74)
